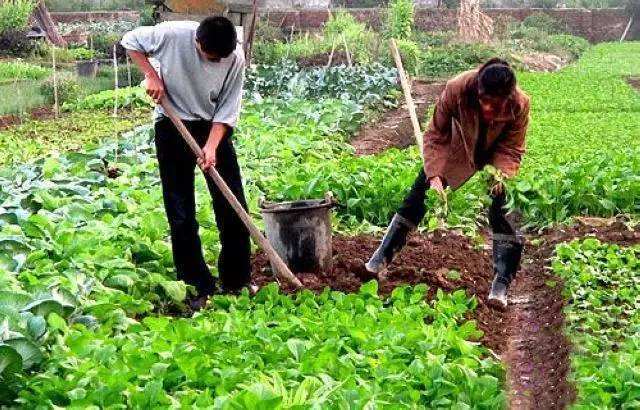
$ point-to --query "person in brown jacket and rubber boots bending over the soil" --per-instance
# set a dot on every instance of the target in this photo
(480, 119)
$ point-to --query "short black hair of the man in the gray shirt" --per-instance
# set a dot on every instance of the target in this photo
(217, 35)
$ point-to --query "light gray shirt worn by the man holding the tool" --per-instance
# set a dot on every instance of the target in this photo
(197, 88)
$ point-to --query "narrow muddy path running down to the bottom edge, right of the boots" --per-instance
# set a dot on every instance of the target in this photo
(538, 352)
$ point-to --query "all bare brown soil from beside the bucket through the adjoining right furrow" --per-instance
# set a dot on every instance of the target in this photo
(528, 335)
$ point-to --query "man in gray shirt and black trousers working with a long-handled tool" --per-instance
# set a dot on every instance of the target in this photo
(199, 68)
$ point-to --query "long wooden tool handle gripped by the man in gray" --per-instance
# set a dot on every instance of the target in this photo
(281, 267)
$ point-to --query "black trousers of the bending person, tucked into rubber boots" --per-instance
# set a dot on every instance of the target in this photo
(414, 210)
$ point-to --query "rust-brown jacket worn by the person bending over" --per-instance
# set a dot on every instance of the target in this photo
(450, 141)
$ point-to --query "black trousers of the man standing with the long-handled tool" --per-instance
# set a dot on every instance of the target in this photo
(177, 165)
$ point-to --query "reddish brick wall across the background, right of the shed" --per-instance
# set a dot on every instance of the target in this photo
(595, 25)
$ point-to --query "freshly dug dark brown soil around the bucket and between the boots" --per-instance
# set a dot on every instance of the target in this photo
(426, 259)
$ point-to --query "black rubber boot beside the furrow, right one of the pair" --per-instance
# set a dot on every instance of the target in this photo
(507, 252)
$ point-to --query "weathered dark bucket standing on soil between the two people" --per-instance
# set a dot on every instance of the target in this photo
(300, 232)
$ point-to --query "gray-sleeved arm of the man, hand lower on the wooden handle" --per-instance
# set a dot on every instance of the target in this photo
(226, 114)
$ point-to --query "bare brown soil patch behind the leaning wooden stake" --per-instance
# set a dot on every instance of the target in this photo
(394, 129)
